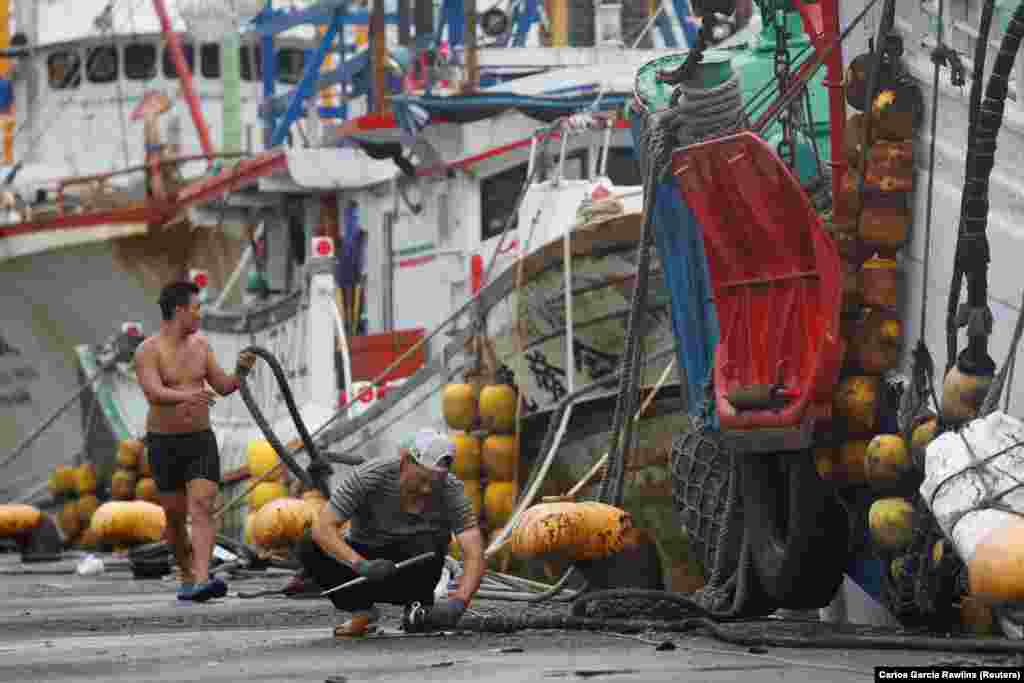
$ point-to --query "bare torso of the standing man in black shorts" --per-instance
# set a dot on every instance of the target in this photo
(184, 366)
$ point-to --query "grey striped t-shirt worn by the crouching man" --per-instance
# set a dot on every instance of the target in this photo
(369, 497)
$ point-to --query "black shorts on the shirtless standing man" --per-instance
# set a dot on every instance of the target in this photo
(178, 459)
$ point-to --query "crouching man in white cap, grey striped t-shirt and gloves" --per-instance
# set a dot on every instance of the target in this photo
(398, 507)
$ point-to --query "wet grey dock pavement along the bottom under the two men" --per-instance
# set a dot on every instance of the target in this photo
(58, 626)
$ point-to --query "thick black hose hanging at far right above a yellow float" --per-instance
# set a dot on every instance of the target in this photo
(974, 257)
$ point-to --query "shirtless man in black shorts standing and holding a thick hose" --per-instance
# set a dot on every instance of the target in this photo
(174, 368)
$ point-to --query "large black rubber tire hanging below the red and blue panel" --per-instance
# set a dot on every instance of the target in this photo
(799, 530)
